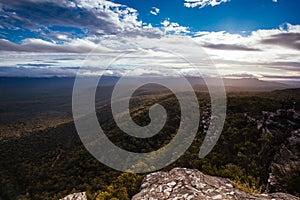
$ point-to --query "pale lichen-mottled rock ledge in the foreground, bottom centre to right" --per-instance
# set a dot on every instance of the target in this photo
(181, 183)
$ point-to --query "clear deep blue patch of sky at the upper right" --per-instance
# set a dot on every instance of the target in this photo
(233, 16)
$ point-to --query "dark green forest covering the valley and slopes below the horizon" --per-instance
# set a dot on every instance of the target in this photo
(52, 163)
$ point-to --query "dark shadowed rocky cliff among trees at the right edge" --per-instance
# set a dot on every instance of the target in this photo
(287, 158)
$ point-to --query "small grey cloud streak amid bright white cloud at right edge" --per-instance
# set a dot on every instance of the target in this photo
(291, 40)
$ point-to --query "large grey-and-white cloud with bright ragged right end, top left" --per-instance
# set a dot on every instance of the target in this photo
(97, 16)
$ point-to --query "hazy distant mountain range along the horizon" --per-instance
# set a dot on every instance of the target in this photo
(243, 84)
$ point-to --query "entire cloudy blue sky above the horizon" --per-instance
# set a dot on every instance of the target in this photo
(242, 38)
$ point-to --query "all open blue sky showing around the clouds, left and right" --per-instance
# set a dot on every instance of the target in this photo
(235, 16)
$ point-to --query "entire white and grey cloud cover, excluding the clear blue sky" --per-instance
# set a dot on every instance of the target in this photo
(59, 41)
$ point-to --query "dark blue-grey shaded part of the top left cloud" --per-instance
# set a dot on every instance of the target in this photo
(31, 14)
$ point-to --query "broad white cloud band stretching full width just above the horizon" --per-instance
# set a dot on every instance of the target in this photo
(235, 55)
